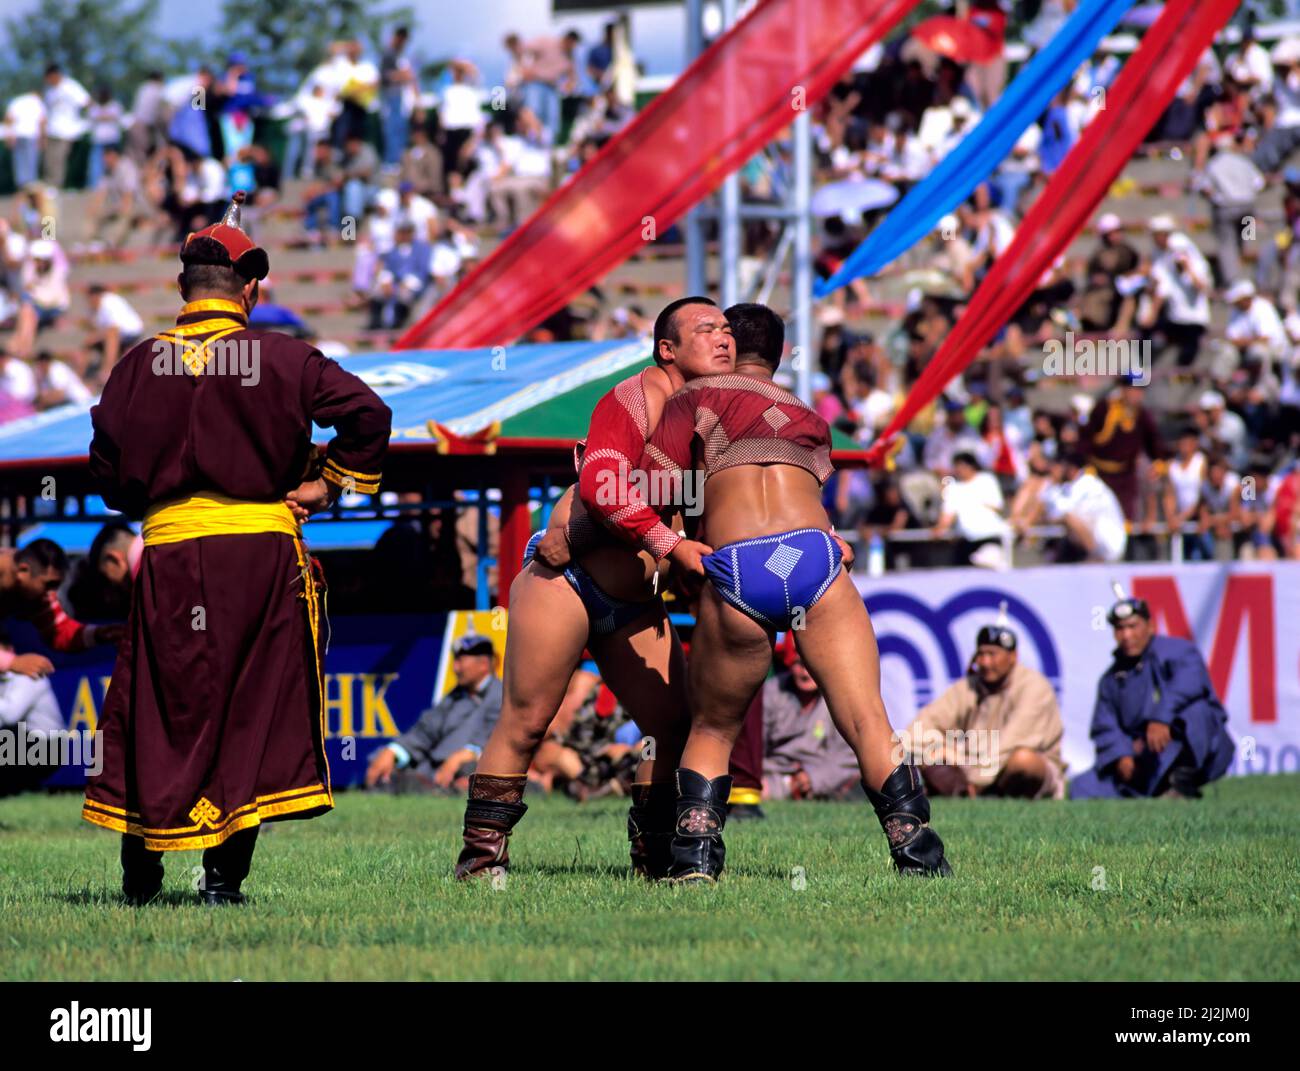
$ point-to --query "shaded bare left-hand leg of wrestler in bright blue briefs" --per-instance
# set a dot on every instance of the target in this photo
(730, 658)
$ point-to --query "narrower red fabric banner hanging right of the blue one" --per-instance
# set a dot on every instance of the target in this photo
(1139, 96)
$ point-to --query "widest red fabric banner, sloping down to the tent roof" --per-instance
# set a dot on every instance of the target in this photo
(782, 58)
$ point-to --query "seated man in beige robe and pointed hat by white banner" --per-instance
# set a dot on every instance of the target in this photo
(1009, 729)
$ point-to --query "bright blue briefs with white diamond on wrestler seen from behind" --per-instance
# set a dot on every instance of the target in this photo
(770, 578)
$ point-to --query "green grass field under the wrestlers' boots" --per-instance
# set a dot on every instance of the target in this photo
(1193, 891)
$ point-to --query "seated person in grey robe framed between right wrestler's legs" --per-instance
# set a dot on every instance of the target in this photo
(804, 755)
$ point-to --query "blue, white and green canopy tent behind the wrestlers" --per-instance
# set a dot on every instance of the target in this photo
(499, 423)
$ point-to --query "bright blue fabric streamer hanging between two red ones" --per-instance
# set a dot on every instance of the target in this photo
(981, 151)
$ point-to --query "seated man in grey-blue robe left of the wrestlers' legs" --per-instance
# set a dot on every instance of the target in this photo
(445, 744)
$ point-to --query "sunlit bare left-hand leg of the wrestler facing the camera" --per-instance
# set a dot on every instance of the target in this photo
(544, 645)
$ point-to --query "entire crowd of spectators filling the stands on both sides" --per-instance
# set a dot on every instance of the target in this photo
(414, 171)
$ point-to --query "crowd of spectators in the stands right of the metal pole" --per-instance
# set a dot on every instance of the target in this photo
(1194, 428)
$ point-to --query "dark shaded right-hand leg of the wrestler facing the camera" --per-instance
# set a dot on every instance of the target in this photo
(644, 666)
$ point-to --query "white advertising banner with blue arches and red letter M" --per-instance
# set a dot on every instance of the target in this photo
(1243, 617)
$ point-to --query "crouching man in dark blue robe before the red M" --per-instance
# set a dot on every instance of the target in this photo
(1159, 727)
